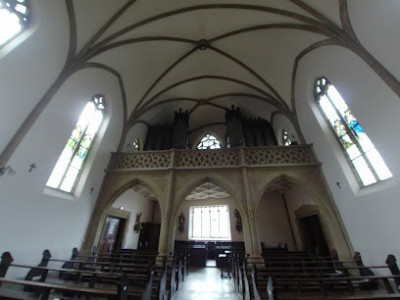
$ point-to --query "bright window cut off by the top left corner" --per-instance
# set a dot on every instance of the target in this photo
(14, 18)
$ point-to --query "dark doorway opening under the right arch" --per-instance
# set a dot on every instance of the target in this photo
(313, 236)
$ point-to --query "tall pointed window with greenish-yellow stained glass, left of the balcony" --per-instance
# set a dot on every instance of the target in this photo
(71, 161)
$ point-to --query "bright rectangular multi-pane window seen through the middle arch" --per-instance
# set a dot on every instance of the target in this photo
(210, 223)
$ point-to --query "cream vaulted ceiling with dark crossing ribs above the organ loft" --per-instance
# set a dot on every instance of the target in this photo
(203, 56)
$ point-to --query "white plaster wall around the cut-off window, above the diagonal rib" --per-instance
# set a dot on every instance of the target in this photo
(20, 84)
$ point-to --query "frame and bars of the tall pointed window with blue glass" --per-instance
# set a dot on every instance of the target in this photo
(323, 91)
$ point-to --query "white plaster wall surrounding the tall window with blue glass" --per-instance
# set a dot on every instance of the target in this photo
(370, 213)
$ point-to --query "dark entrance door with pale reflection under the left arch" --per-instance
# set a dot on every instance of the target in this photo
(112, 235)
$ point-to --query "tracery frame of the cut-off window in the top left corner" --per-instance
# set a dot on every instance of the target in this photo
(24, 19)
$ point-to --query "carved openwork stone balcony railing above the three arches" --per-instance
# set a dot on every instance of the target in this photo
(275, 156)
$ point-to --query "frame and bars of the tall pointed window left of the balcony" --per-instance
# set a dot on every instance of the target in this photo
(98, 101)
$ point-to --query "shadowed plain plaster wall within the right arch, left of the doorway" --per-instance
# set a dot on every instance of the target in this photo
(272, 222)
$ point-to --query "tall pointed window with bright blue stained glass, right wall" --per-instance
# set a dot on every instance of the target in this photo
(359, 149)
